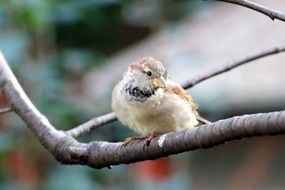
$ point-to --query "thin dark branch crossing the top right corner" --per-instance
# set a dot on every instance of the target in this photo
(254, 6)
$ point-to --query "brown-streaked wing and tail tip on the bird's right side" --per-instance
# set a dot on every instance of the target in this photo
(173, 87)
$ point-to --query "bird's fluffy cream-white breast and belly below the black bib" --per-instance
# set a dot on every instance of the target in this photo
(161, 113)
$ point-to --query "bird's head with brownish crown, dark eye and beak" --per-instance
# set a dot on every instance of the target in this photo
(148, 72)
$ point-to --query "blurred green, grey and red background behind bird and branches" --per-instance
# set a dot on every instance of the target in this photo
(68, 55)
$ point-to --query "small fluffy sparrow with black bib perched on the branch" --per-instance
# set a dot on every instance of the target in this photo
(151, 103)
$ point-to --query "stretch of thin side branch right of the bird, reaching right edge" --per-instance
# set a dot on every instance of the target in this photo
(227, 67)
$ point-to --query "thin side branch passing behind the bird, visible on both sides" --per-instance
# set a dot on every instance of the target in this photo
(110, 117)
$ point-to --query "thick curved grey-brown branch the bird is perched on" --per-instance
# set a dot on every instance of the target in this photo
(100, 154)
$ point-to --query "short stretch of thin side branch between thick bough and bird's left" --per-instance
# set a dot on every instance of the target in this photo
(92, 124)
